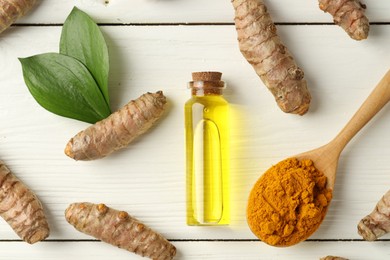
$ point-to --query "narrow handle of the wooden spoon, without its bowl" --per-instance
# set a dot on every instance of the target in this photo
(373, 104)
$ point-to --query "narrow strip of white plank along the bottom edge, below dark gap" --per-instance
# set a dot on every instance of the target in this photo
(200, 250)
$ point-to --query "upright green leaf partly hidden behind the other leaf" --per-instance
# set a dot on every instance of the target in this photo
(82, 39)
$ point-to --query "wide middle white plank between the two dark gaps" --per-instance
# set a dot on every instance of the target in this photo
(148, 178)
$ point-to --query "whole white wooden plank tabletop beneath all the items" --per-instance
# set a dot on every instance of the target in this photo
(156, 45)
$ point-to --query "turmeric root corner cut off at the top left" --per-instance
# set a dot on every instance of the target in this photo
(11, 10)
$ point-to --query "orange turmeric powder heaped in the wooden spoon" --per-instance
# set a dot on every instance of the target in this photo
(288, 203)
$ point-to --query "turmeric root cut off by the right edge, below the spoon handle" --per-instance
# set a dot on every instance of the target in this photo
(377, 223)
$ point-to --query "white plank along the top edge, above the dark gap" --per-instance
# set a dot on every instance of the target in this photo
(188, 11)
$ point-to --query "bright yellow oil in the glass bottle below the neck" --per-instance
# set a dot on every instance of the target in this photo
(207, 152)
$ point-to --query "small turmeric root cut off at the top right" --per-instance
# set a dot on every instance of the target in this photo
(349, 14)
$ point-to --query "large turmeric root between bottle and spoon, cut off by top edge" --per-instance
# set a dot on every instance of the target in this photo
(263, 49)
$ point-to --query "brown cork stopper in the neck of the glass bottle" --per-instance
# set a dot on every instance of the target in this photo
(206, 83)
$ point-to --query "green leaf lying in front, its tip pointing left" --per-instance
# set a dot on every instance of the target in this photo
(64, 86)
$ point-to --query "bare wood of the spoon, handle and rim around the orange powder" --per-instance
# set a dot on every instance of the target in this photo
(326, 157)
